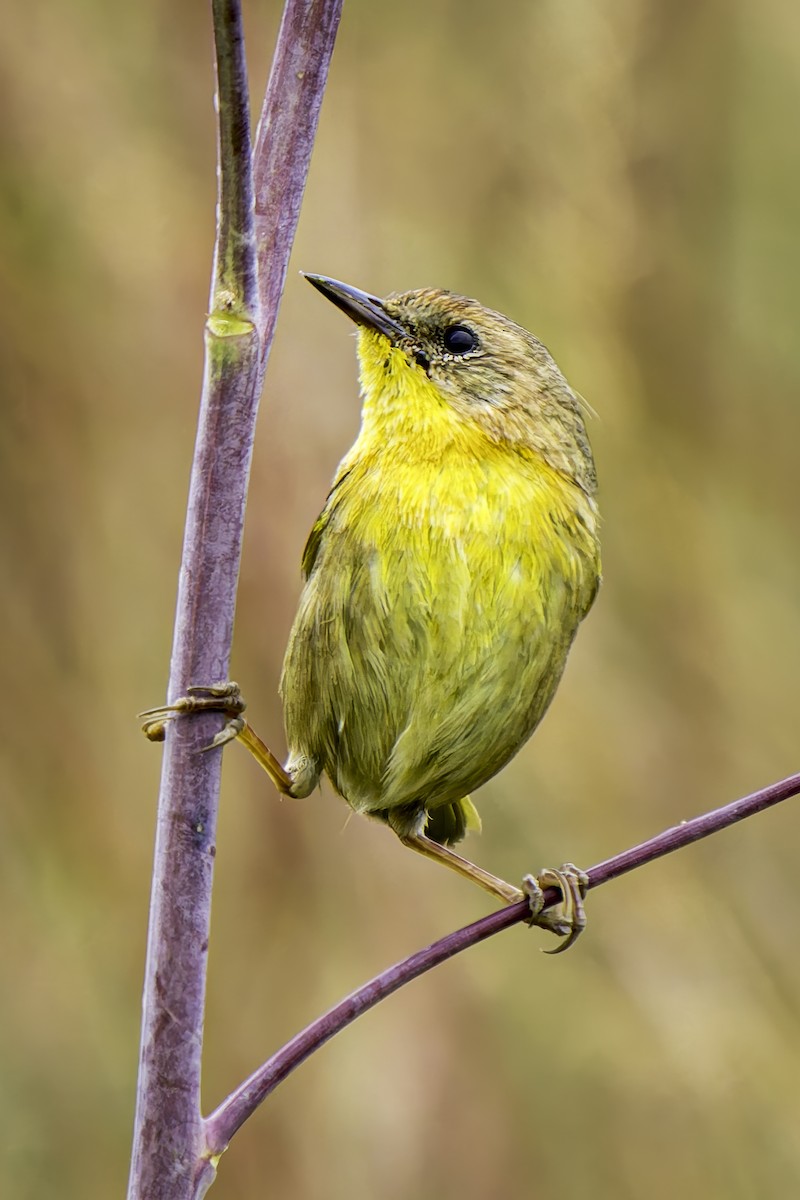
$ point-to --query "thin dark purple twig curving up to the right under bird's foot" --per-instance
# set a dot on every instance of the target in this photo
(232, 1114)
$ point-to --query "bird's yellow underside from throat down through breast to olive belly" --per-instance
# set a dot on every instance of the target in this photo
(450, 574)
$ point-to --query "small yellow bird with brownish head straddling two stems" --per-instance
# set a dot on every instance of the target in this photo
(444, 580)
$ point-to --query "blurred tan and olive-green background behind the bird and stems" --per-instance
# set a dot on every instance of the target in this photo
(624, 179)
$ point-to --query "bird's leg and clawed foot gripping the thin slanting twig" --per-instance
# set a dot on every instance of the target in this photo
(567, 920)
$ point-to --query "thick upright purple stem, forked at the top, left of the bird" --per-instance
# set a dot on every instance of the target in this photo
(171, 1156)
